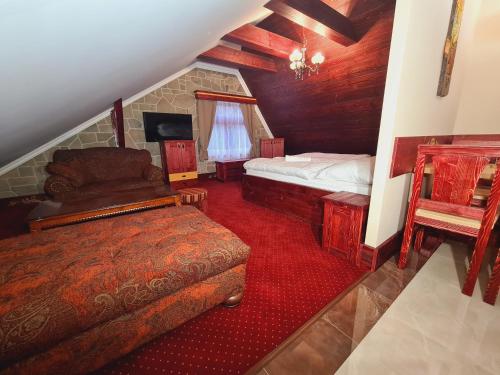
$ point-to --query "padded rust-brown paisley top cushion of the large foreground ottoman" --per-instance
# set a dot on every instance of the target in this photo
(58, 283)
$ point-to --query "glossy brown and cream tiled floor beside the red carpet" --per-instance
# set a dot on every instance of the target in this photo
(431, 328)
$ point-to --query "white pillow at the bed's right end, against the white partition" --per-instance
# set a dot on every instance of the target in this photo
(358, 171)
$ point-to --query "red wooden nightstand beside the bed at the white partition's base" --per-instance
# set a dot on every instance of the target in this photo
(344, 222)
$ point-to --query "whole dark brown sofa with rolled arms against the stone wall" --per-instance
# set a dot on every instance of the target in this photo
(98, 171)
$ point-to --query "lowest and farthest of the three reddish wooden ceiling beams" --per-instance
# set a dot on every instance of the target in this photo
(240, 59)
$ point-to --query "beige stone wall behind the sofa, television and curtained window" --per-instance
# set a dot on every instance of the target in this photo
(176, 96)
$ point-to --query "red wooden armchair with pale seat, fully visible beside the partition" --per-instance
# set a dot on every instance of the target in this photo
(457, 169)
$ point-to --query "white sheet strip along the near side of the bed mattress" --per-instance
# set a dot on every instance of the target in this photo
(333, 186)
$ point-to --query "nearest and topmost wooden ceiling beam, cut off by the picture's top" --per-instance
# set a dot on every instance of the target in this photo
(316, 16)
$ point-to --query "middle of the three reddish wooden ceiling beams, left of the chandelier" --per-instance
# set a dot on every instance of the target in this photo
(261, 40)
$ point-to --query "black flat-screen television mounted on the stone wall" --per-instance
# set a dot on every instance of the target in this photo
(167, 126)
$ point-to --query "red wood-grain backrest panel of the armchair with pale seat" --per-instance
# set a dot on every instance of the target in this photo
(456, 177)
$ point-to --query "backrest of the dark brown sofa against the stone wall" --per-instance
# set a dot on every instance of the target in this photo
(106, 163)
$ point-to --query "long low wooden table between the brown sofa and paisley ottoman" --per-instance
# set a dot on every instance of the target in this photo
(49, 214)
